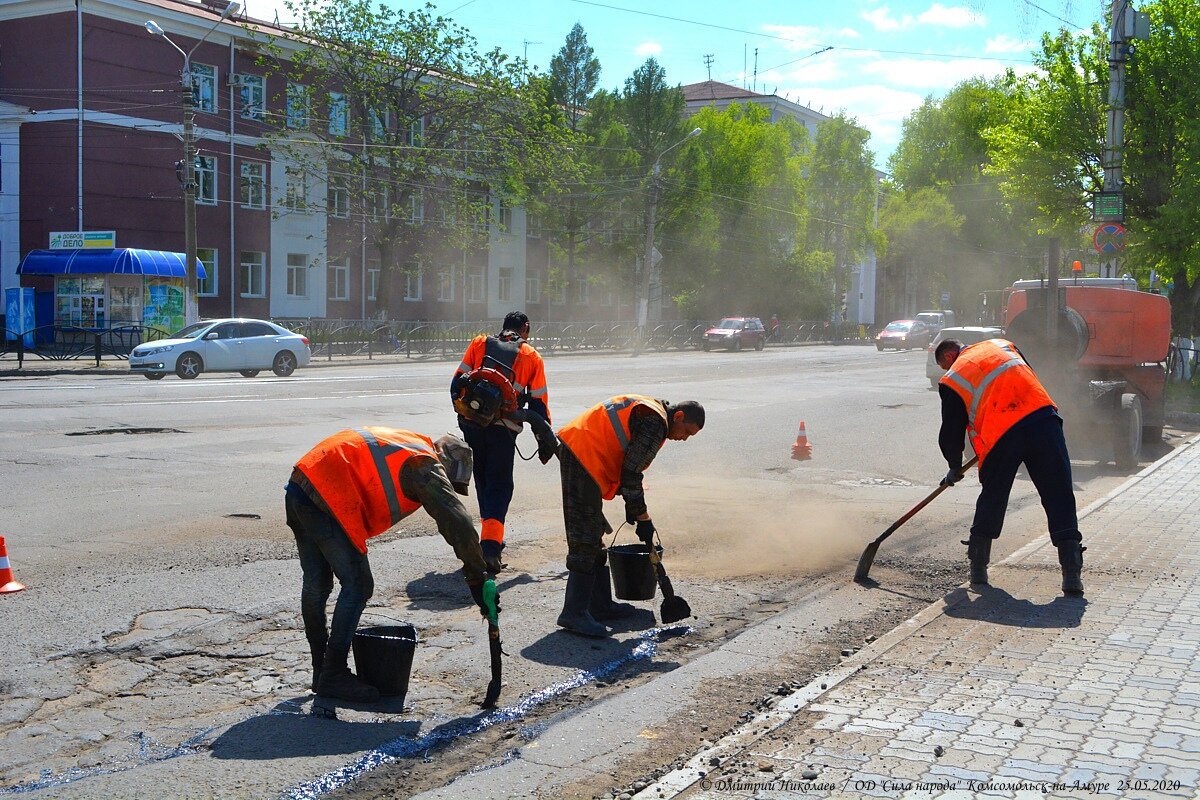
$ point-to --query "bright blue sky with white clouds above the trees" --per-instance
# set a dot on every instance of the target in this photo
(887, 55)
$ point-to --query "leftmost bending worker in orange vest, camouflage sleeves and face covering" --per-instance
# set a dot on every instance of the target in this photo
(356, 485)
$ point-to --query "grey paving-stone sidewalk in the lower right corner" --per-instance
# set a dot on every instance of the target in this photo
(1012, 693)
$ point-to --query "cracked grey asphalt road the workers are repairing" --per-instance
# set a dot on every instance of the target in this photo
(159, 652)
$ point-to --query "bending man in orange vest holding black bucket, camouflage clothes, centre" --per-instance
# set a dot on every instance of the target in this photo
(604, 452)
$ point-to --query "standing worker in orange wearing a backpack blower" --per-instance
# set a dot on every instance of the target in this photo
(505, 357)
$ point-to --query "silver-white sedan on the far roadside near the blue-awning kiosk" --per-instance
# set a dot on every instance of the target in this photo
(245, 346)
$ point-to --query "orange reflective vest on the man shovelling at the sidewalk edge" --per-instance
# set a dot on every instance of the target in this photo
(999, 390)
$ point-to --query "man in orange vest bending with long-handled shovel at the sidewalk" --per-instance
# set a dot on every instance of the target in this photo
(993, 395)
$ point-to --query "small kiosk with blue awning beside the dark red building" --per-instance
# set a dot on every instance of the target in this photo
(104, 287)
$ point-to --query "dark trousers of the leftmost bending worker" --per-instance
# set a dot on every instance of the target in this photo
(326, 551)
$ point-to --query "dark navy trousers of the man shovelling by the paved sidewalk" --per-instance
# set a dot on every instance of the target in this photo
(1040, 446)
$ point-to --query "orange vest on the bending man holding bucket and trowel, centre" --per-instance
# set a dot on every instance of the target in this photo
(601, 436)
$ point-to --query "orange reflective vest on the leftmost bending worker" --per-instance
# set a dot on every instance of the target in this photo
(357, 474)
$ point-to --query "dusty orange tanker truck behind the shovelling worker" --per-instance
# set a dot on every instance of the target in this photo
(1100, 346)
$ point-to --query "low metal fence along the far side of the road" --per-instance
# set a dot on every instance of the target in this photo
(411, 340)
